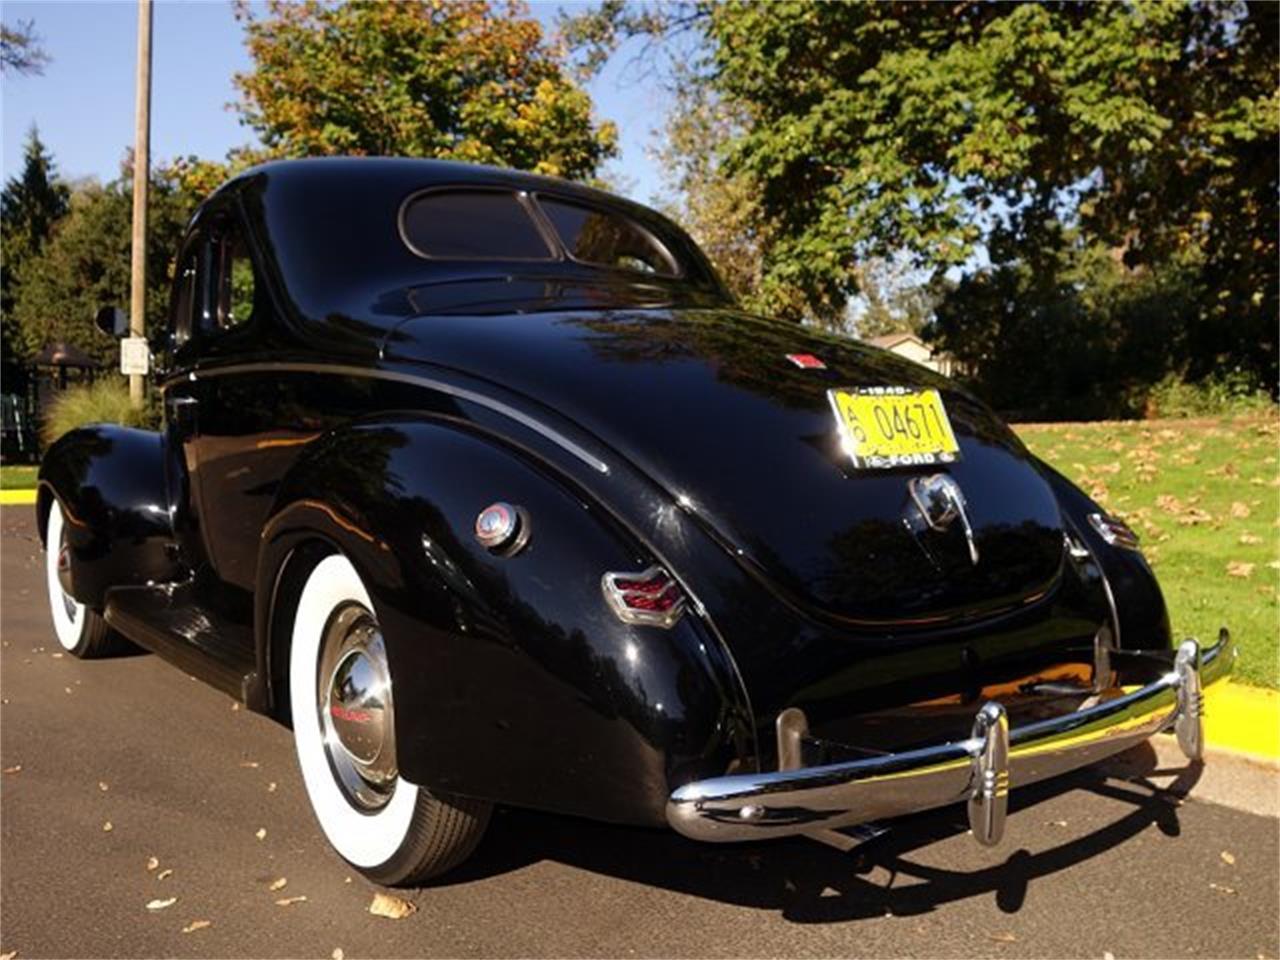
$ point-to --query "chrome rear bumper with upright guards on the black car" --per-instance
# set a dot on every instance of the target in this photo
(816, 801)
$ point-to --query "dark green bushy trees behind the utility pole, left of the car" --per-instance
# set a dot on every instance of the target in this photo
(86, 266)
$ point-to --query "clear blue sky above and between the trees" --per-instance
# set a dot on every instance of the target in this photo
(84, 103)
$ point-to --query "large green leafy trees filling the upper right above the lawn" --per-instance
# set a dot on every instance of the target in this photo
(1066, 145)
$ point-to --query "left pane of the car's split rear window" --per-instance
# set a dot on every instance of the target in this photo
(473, 225)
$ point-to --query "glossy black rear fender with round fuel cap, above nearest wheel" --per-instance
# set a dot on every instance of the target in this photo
(513, 679)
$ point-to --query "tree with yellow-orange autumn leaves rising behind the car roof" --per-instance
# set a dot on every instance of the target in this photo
(463, 81)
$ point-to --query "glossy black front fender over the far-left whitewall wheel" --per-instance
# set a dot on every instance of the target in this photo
(112, 484)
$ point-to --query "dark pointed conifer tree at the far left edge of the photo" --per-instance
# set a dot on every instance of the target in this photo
(30, 207)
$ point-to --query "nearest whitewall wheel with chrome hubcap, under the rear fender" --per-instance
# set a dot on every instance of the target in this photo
(392, 831)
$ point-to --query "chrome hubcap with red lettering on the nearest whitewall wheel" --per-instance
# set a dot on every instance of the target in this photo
(356, 716)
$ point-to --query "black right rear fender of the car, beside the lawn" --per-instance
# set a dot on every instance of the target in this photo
(1136, 595)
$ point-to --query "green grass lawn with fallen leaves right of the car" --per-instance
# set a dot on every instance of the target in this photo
(1205, 497)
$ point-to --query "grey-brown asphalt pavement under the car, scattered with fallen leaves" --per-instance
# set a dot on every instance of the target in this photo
(1092, 866)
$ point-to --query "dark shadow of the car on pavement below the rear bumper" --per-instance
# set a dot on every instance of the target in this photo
(807, 883)
